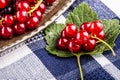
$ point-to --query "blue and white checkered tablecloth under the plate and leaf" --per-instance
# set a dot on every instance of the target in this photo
(30, 60)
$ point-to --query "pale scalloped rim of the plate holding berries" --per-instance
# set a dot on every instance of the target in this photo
(40, 28)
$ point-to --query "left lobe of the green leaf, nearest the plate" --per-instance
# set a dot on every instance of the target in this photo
(52, 34)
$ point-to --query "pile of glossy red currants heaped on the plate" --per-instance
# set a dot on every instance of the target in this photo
(17, 16)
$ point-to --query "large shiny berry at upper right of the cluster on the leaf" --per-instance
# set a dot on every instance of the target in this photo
(96, 27)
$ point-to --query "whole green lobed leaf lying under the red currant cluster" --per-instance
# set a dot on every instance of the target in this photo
(79, 15)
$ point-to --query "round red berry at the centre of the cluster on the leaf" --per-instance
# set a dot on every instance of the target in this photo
(82, 37)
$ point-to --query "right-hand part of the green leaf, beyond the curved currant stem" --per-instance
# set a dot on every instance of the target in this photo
(111, 28)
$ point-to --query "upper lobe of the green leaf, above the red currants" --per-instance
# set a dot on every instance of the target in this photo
(81, 14)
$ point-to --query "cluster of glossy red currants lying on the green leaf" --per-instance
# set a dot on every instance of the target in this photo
(74, 40)
